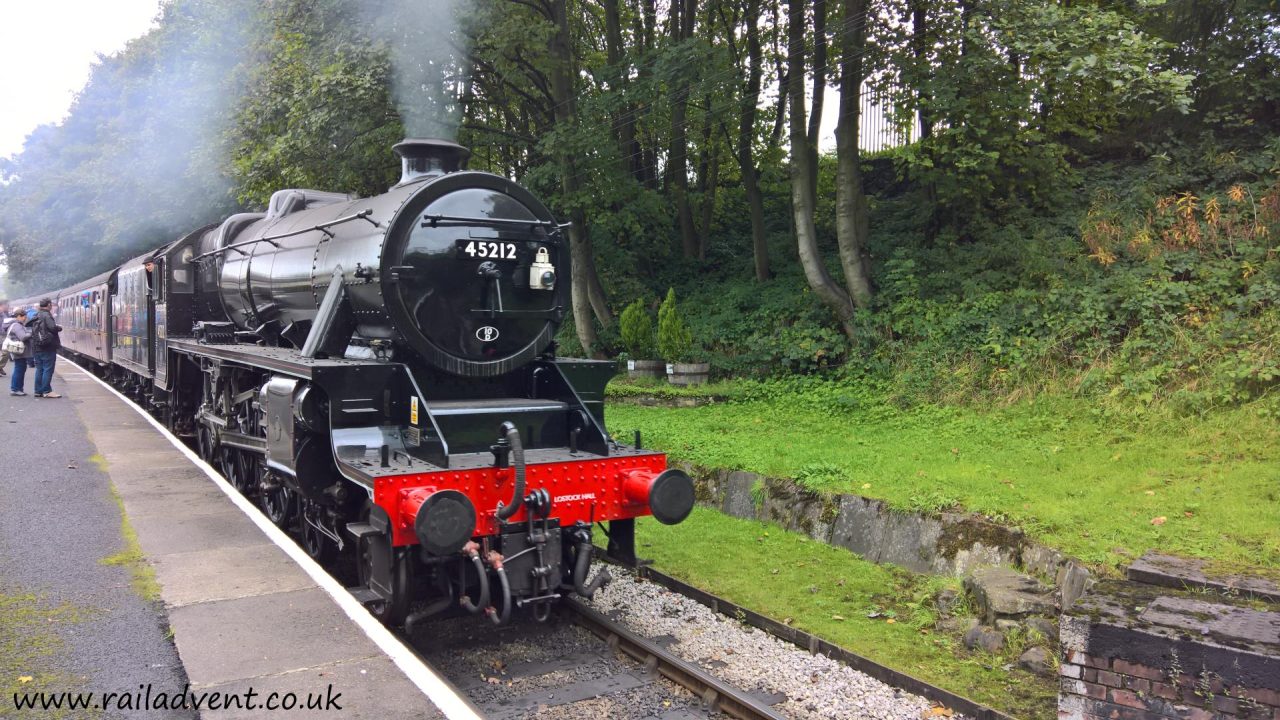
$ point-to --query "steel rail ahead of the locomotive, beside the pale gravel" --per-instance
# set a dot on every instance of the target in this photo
(715, 692)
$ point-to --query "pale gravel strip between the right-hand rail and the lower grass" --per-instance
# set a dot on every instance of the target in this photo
(816, 687)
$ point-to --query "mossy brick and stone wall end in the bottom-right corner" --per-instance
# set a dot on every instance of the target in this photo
(1137, 653)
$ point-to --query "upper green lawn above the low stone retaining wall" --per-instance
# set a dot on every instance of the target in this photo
(1100, 486)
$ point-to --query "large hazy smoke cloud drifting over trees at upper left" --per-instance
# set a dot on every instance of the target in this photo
(140, 160)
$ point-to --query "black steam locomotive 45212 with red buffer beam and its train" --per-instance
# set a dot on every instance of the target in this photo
(381, 375)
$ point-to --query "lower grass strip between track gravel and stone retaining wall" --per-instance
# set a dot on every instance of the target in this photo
(831, 593)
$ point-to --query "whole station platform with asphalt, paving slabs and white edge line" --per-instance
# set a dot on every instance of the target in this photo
(177, 584)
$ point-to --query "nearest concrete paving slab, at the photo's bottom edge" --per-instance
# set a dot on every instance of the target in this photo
(367, 690)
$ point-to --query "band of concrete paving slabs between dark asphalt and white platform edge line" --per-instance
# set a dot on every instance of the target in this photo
(243, 613)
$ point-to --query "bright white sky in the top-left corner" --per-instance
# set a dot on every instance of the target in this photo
(47, 49)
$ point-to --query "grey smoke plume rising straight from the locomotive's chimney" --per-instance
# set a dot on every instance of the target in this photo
(429, 62)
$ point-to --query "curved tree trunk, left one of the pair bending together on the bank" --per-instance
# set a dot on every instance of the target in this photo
(802, 188)
